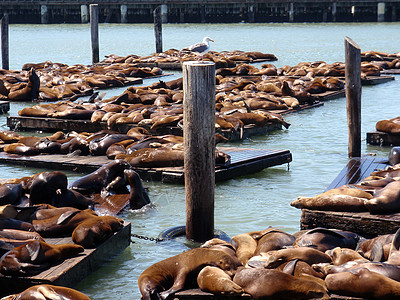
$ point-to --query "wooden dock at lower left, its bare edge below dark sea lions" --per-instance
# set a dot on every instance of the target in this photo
(71, 271)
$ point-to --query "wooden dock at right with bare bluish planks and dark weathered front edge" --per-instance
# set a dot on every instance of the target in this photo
(363, 223)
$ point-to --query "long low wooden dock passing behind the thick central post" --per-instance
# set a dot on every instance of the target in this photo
(243, 162)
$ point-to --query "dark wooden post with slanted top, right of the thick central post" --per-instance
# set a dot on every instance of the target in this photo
(353, 95)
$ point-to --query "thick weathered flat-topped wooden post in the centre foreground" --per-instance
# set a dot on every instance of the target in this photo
(199, 145)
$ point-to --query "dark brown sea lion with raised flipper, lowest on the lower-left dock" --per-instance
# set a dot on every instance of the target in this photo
(34, 256)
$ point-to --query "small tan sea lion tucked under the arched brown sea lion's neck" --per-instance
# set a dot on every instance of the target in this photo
(216, 281)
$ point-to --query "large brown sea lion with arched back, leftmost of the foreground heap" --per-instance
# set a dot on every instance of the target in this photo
(170, 275)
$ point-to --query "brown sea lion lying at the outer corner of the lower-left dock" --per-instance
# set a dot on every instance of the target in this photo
(94, 231)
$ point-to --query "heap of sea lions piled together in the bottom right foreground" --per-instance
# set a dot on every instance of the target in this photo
(272, 264)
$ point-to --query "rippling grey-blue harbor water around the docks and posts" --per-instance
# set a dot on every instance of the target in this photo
(317, 138)
